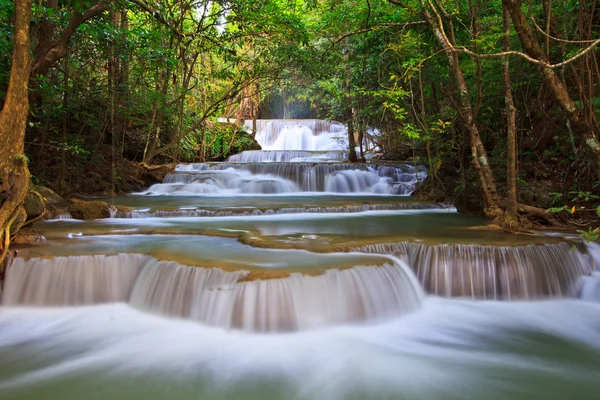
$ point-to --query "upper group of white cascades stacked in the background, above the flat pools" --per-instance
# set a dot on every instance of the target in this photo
(297, 156)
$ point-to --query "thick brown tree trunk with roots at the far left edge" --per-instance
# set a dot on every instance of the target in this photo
(14, 174)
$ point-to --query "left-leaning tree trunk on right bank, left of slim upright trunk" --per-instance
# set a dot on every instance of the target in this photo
(478, 152)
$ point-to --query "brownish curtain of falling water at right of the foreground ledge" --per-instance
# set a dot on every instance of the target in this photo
(493, 272)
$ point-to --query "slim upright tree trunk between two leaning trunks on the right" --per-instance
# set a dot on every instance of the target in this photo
(511, 130)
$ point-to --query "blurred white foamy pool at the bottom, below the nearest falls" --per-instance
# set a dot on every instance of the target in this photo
(450, 350)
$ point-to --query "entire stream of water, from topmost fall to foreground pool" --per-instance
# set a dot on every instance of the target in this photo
(291, 274)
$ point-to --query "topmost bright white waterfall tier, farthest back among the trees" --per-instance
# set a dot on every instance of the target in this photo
(300, 134)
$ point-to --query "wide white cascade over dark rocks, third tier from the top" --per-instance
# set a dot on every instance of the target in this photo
(277, 178)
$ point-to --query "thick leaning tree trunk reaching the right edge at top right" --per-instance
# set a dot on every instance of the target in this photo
(530, 44)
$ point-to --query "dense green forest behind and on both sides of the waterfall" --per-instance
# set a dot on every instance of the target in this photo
(116, 83)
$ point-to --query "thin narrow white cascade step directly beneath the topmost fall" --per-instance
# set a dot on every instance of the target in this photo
(289, 156)
